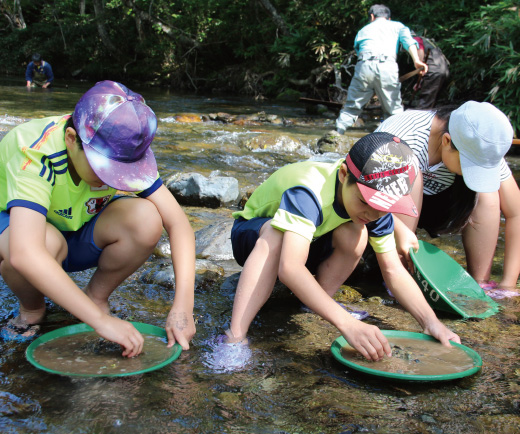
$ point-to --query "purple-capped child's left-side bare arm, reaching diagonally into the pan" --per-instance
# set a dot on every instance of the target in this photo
(30, 257)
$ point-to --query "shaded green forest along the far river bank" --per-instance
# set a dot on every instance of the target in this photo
(262, 48)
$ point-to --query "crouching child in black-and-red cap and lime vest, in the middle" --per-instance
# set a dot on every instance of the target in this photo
(315, 218)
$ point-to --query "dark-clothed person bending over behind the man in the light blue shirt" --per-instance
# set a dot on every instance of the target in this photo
(430, 85)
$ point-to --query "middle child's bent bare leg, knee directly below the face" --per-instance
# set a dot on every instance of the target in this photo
(349, 242)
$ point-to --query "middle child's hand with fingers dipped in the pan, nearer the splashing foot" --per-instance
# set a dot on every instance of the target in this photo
(368, 340)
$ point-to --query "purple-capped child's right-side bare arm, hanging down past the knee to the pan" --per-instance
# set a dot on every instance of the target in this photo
(180, 325)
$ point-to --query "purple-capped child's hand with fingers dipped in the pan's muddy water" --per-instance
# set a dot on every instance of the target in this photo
(122, 333)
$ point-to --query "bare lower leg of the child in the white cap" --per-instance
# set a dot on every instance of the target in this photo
(480, 236)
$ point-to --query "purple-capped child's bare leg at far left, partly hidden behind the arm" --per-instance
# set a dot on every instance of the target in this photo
(32, 301)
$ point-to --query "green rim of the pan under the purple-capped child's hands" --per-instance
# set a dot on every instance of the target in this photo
(146, 329)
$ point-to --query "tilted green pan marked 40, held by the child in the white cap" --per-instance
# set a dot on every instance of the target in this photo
(447, 286)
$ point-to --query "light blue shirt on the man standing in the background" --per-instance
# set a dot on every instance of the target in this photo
(382, 37)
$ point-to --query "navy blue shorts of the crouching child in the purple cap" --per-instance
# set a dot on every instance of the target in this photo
(82, 250)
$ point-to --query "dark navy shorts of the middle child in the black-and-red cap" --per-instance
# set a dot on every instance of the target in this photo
(245, 233)
